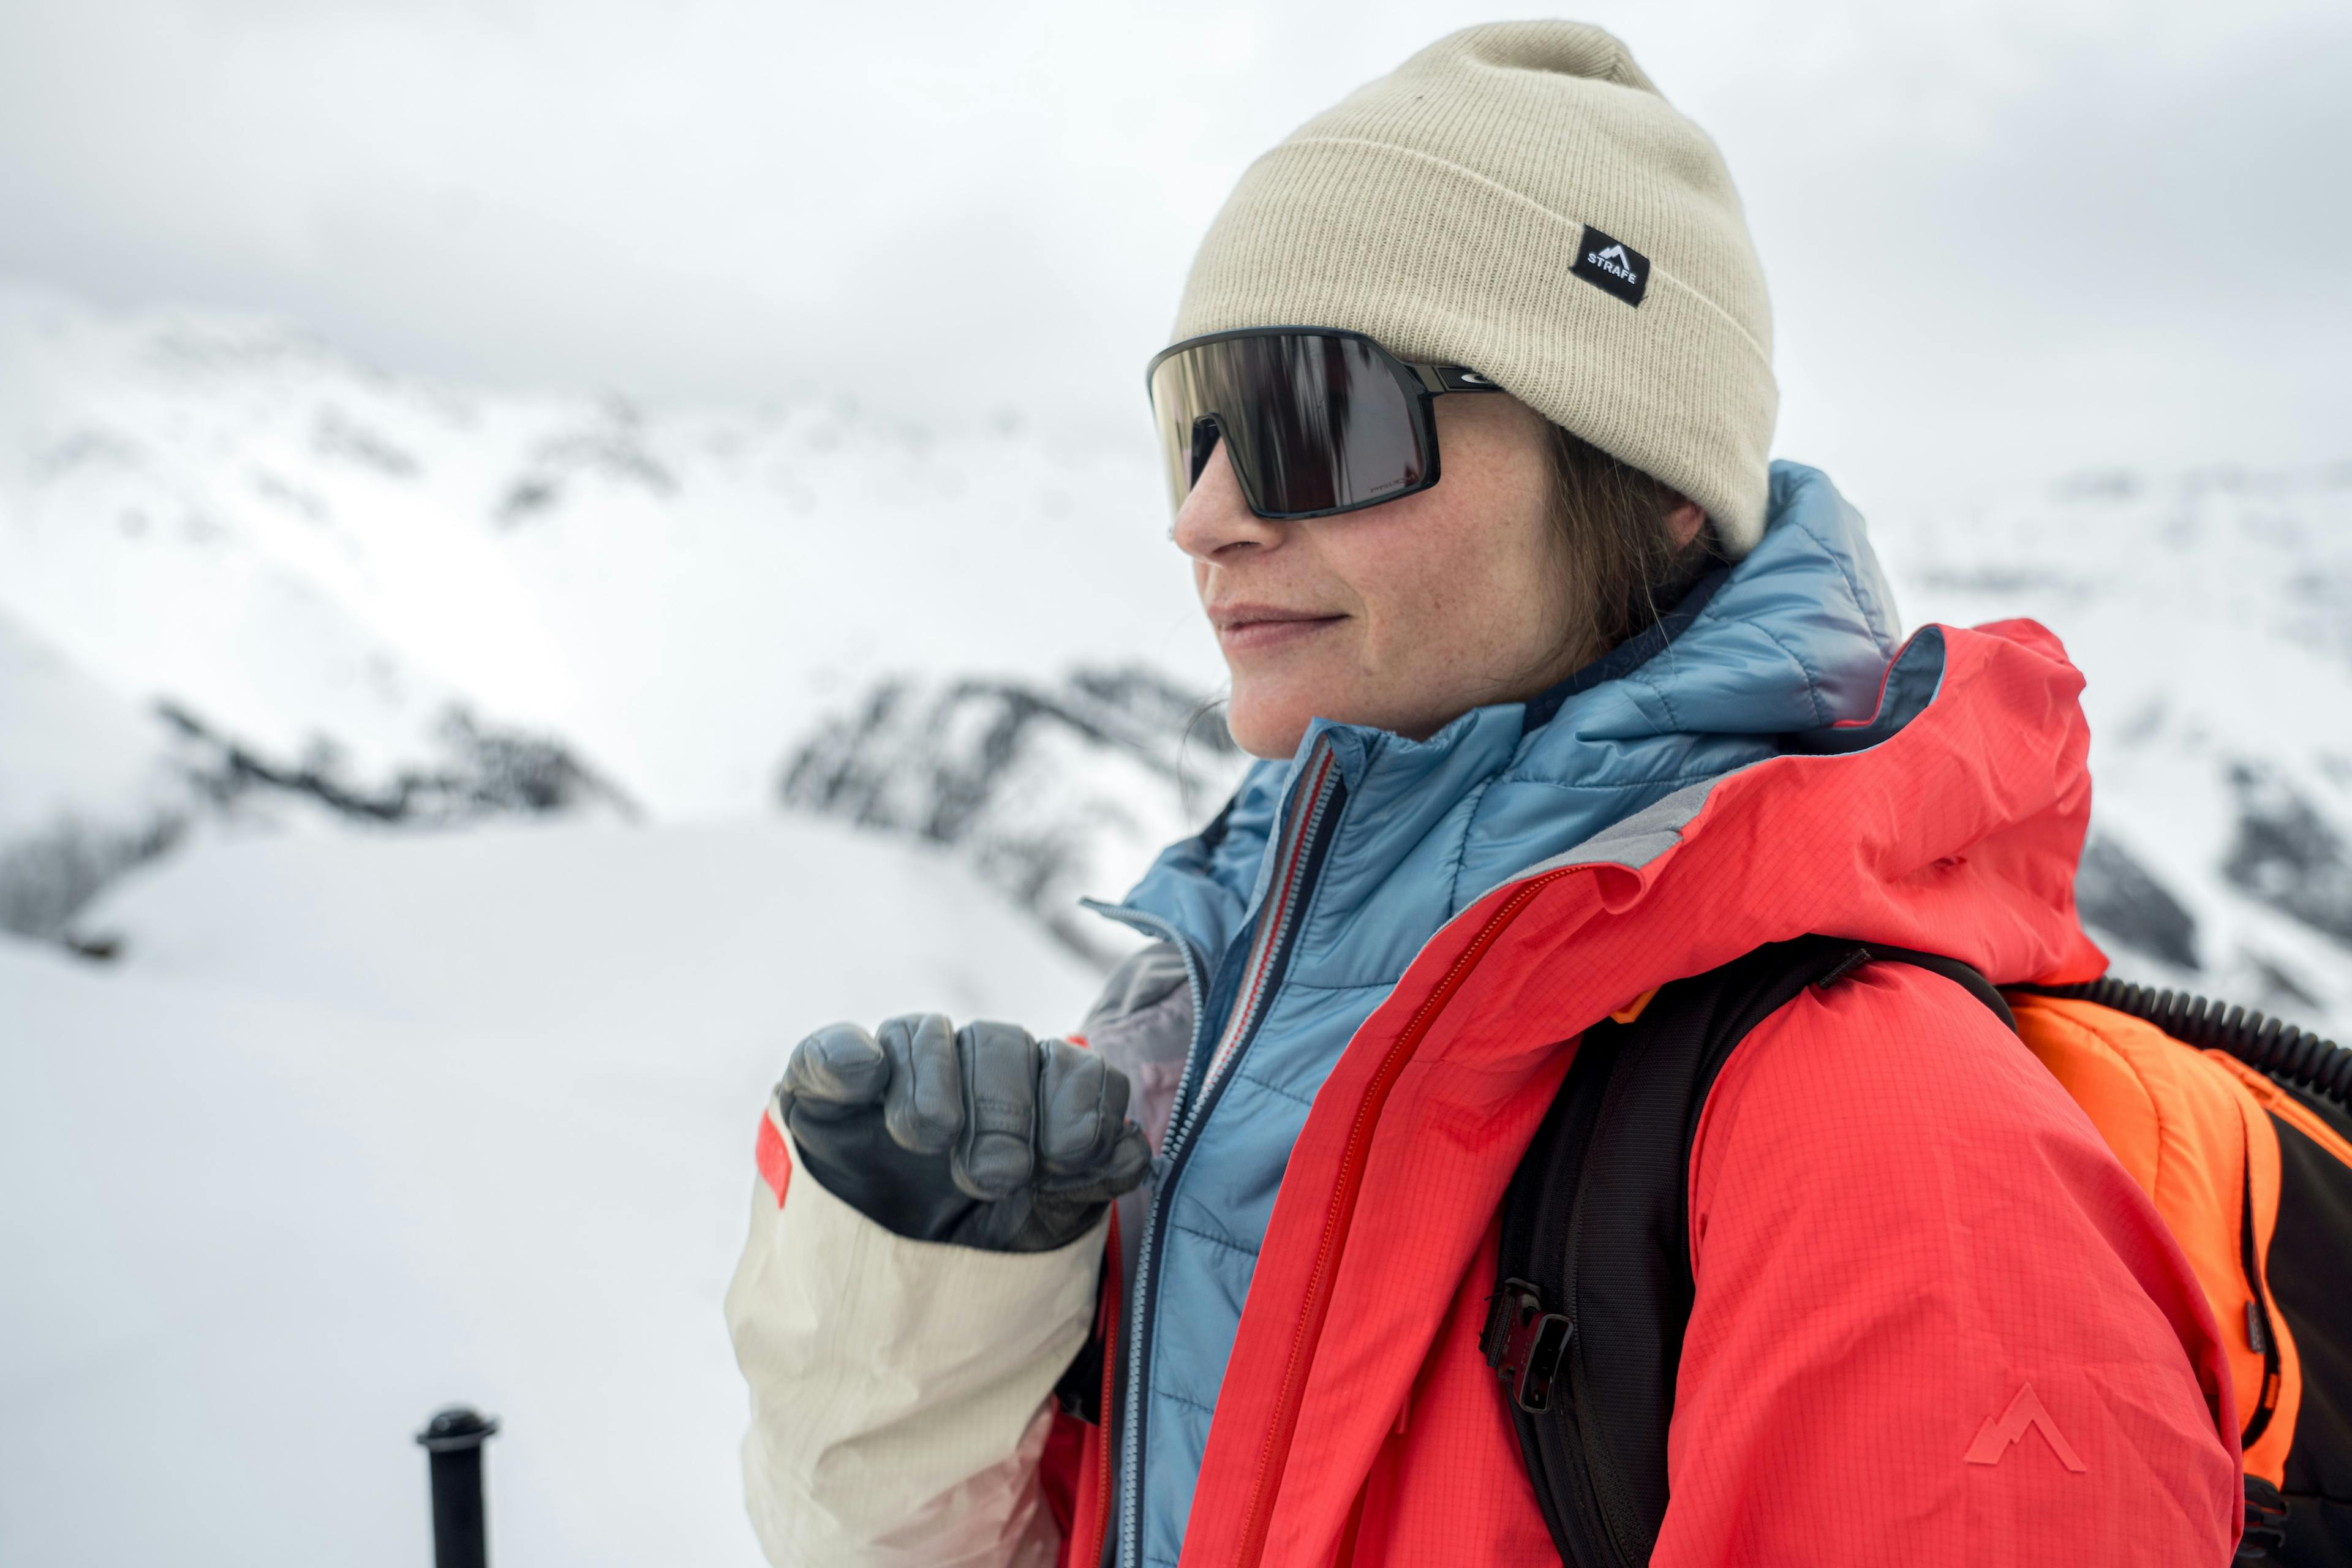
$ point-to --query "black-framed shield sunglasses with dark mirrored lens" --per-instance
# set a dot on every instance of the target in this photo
(1316, 422)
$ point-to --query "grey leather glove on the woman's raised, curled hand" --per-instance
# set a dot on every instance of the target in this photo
(977, 1137)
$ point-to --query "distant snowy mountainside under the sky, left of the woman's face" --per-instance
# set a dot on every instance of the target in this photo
(234, 516)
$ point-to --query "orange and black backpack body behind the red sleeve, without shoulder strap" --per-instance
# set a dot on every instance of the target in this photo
(2238, 1130)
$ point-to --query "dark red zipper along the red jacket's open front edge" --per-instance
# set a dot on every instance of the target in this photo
(1276, 1449)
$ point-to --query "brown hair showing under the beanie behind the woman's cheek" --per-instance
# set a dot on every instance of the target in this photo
(1624, 565)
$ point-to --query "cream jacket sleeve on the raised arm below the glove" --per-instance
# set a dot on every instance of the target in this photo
(900, 1391)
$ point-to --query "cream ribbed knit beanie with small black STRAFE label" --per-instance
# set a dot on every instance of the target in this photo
(1521, 201)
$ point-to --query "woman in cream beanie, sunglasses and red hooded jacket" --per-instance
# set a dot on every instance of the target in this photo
(1471, 384)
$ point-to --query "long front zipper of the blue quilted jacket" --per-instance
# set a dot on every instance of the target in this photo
(1198, 1092)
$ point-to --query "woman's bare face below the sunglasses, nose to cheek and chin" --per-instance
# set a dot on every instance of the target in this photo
(1403, 615)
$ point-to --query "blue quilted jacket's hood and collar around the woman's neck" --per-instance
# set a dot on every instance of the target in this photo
(1793, 638)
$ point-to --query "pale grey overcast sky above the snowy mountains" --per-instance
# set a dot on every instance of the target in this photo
(2005, 239)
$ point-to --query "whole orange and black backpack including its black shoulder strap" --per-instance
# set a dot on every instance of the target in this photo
(1593, 1282)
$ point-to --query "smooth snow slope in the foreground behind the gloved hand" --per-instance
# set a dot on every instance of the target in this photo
(363, 1125)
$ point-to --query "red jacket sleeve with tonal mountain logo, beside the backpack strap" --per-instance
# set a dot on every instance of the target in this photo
(1937, 1322)
